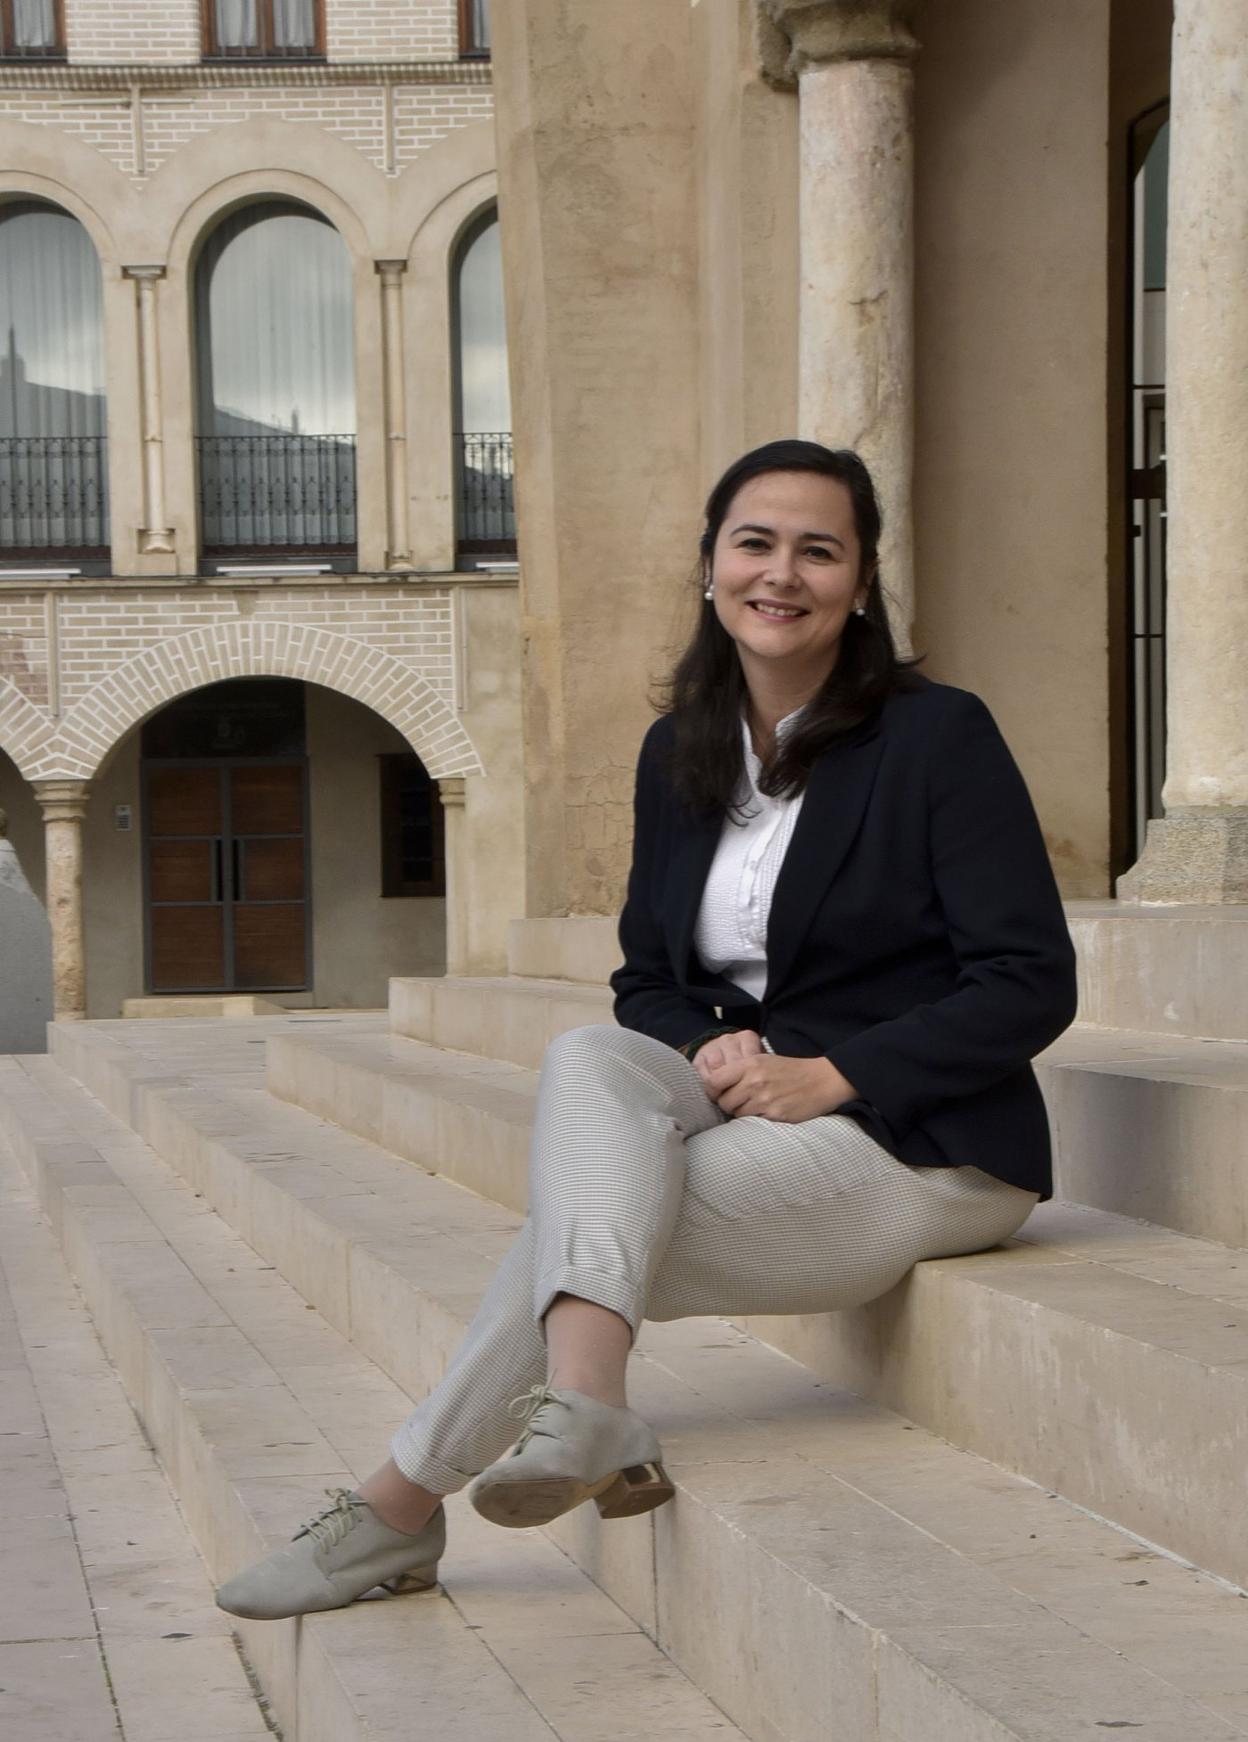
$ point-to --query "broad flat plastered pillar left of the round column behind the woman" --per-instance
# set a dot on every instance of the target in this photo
(595, 119)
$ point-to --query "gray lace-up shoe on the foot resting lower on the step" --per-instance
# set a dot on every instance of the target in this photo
(337, 1556)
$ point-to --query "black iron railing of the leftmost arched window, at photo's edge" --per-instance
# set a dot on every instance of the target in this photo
(55, 496)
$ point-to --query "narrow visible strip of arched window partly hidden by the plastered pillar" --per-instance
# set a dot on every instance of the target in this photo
(487, 511)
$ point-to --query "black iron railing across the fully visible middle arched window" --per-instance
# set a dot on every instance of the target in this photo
(278, 494)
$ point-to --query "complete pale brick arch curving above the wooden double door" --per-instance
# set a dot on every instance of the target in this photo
(269, 649)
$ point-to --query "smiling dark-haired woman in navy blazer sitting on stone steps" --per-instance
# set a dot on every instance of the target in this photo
(843, 947)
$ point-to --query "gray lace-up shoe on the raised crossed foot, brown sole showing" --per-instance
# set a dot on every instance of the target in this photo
(573, 1450)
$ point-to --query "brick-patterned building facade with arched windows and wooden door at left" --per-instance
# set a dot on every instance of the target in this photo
(259, 670)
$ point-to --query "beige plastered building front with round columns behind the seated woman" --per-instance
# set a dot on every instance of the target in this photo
(960, 240)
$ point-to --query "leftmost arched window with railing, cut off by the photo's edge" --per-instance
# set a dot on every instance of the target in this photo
(53, 407)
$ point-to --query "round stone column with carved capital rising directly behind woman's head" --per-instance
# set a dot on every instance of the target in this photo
(857, 327)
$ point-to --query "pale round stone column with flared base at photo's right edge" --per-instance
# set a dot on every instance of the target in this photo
(1200, 851)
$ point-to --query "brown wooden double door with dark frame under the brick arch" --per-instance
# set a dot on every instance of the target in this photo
(227, 875)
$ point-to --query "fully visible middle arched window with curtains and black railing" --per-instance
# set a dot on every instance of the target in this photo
(276, 388)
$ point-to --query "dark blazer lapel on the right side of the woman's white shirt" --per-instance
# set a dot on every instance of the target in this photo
(832, 811)
